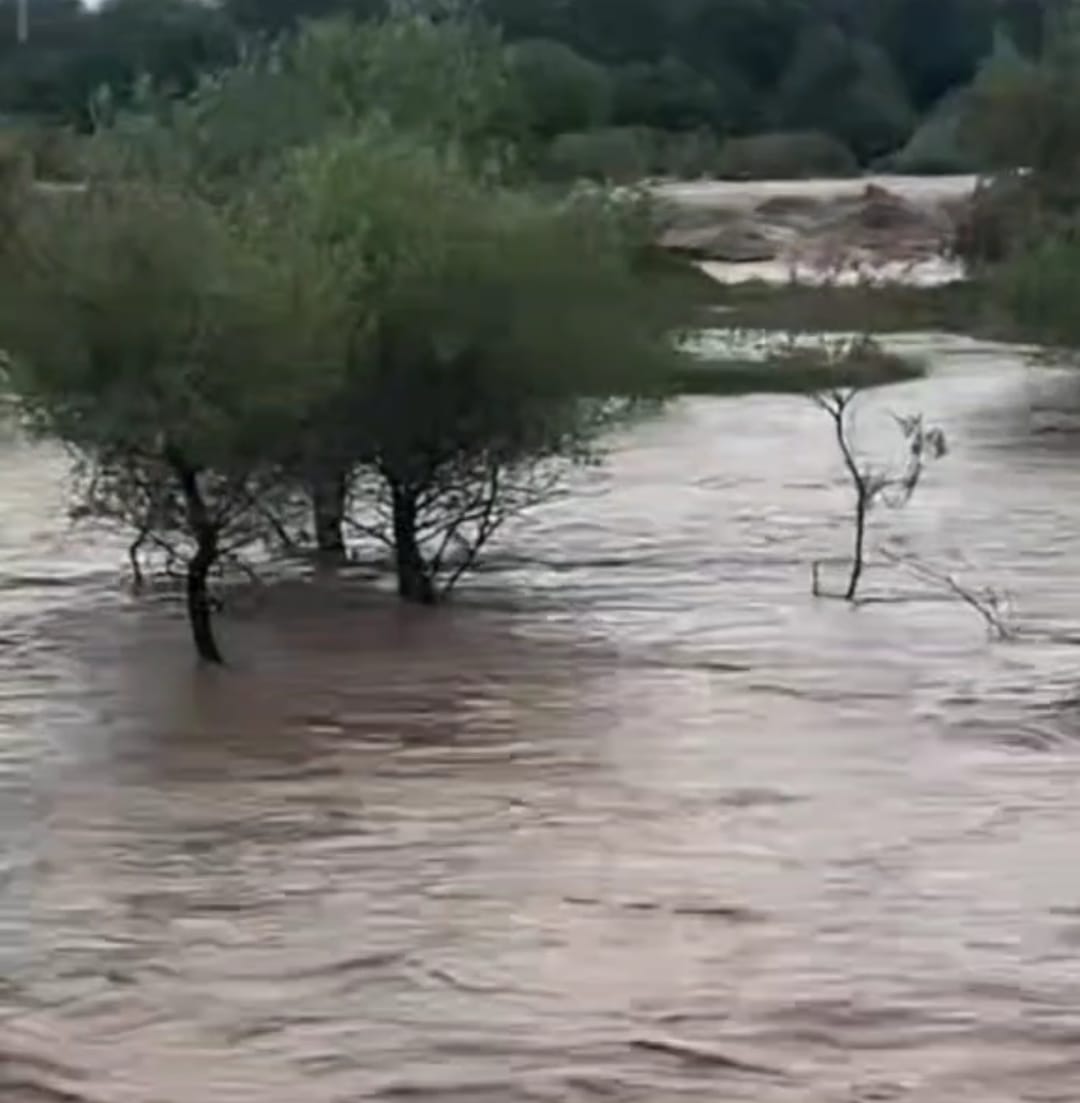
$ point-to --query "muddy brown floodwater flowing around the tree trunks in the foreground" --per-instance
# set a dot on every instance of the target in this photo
(636, 820)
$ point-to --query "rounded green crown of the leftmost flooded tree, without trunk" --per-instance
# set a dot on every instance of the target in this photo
(136, 317)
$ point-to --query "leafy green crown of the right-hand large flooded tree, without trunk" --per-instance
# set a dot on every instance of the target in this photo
(539, 292)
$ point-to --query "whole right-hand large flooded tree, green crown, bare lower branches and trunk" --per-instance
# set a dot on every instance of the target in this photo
(497, 336)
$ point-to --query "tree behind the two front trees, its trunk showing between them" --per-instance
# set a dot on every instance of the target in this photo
(442, 82)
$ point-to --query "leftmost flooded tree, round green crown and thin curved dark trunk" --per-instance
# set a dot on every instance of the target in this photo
(176, 348)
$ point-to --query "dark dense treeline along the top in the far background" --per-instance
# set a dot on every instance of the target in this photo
(865, 72)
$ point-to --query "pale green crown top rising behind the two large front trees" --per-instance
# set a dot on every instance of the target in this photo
(446, 82)
